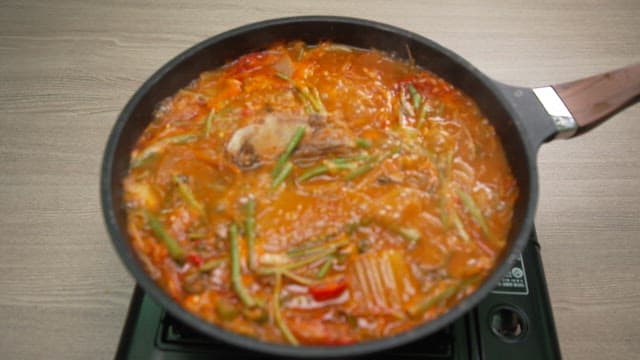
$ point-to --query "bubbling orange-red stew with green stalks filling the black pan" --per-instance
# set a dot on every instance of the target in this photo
(318, 195)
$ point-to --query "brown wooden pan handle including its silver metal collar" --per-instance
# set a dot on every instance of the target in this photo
(578, 106)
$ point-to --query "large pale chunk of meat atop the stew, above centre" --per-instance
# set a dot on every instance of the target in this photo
(266, 140)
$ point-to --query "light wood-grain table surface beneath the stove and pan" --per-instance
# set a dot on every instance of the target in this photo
(68, 67)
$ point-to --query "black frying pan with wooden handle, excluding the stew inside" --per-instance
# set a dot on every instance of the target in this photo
(524, 119)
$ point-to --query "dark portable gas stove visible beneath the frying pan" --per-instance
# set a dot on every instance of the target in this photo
(512, 322)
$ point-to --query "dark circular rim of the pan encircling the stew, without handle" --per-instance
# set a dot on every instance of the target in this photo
(120, 240)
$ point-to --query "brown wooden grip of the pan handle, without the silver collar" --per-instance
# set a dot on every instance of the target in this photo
(594, 99)
